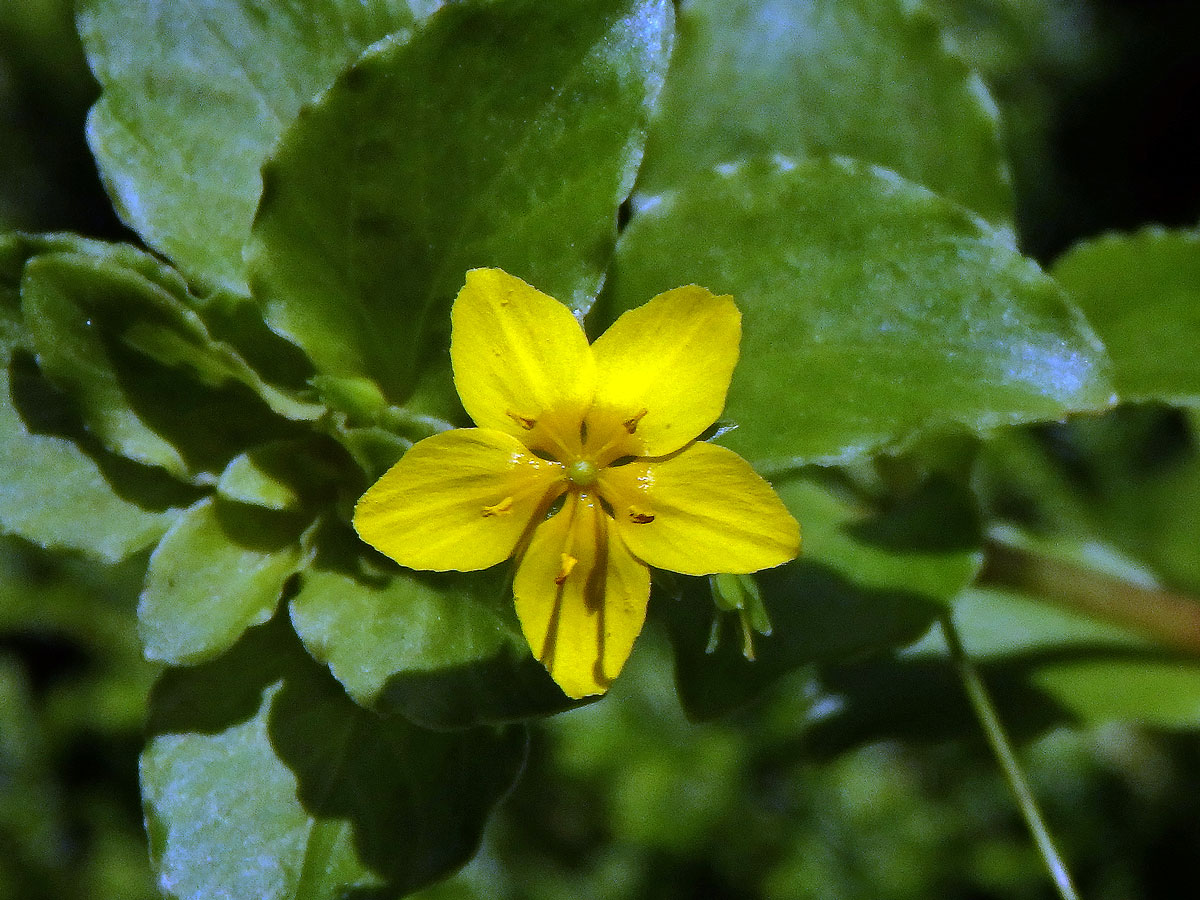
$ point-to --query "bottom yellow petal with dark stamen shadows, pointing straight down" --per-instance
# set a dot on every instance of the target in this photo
(581, 598)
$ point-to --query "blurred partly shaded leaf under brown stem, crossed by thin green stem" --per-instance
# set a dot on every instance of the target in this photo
(1043, 664)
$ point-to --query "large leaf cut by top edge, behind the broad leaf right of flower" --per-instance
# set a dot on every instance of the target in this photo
(865, 79)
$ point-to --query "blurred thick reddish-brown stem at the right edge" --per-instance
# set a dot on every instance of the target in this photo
(1169, 619)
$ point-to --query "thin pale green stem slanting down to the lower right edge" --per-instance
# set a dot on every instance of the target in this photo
(986, 712)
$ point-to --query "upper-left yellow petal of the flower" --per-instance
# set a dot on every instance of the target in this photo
(519, 356)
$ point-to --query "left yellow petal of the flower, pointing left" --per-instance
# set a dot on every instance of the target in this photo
(460, 501)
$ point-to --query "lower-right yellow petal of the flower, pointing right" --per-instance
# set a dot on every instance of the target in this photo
(699, 513)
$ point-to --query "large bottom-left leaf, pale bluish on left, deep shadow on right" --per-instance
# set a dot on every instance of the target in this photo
(263, 781)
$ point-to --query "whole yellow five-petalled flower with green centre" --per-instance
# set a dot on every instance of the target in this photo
(610, 429)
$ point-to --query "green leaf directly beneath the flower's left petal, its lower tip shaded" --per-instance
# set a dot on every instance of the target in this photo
(443, 650)
